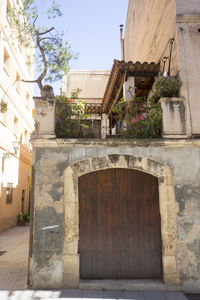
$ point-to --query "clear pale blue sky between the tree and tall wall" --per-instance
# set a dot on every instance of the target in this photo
(92, 29)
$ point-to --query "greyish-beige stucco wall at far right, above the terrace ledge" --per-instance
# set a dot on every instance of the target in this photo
(188, 31)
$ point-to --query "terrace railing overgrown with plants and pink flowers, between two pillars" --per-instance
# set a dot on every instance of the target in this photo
(125, 120)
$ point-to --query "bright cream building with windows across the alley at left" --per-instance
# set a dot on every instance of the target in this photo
(16, 122)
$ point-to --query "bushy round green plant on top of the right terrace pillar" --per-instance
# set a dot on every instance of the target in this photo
(166, 87)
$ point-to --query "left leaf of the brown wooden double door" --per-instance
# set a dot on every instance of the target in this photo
(98, 212)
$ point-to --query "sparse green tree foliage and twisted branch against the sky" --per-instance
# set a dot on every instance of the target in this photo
(52, 53)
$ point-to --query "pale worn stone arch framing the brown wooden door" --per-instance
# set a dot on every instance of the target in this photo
(167, 203)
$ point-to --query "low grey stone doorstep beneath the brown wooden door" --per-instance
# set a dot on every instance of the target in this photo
(126, 285)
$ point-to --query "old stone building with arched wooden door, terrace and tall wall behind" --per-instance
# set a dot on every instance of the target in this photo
(125, 209)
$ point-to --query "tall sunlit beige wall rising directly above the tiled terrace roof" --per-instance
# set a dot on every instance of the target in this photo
(149, 26)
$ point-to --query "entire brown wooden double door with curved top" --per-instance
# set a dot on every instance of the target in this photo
(119, 225)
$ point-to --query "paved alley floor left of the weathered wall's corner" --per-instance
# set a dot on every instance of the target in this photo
(14, 262)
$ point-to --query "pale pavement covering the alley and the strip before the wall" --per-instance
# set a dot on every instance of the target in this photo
(13, 276)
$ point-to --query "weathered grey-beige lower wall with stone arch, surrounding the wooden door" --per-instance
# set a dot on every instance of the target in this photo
(57, 164)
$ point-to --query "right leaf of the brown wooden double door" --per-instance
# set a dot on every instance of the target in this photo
(140, 239)
